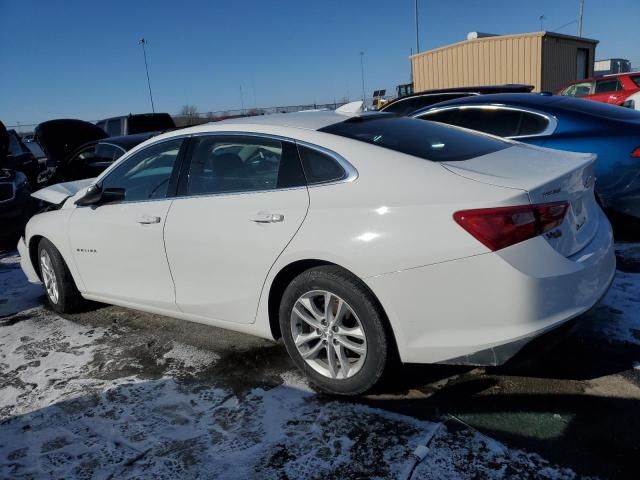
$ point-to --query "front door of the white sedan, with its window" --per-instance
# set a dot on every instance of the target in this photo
(119, 247)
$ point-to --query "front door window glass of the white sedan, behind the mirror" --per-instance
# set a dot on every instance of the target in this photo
(146, 175)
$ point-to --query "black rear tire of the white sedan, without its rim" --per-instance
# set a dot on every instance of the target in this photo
(349, 288)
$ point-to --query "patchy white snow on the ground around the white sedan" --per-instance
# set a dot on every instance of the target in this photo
(77, 401)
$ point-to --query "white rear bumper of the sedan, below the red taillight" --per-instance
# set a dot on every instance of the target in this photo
(481, 310)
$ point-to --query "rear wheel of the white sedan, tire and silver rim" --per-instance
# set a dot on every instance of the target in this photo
(334, 331)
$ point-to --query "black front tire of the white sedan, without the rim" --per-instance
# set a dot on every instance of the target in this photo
(69, 299)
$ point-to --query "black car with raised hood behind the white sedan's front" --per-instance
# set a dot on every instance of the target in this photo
(77, 149)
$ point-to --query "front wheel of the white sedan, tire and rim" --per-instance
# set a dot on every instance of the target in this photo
(62, 294)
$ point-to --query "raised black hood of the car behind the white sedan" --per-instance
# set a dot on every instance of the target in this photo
(60, 138)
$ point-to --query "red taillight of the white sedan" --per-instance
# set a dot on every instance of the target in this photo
(501, 227)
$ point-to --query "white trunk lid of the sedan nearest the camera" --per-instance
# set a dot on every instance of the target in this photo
(547, 176)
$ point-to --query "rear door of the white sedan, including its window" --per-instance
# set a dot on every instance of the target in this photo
(240, 204)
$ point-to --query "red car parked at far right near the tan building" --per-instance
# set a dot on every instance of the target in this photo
(612, 89)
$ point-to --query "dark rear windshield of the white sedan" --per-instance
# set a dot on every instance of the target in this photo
(420, 138)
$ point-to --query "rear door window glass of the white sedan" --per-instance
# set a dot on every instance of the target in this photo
(227, 164)
